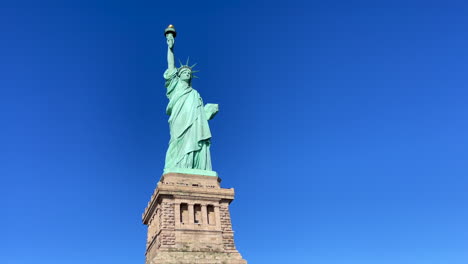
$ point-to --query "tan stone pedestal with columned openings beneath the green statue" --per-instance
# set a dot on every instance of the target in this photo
(189, 222)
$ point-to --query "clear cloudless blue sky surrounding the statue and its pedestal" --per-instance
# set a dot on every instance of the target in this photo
(342, 126)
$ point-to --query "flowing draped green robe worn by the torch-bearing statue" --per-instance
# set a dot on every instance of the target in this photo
(189, 146)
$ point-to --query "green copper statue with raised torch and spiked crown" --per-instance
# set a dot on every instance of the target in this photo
(189, 146)
